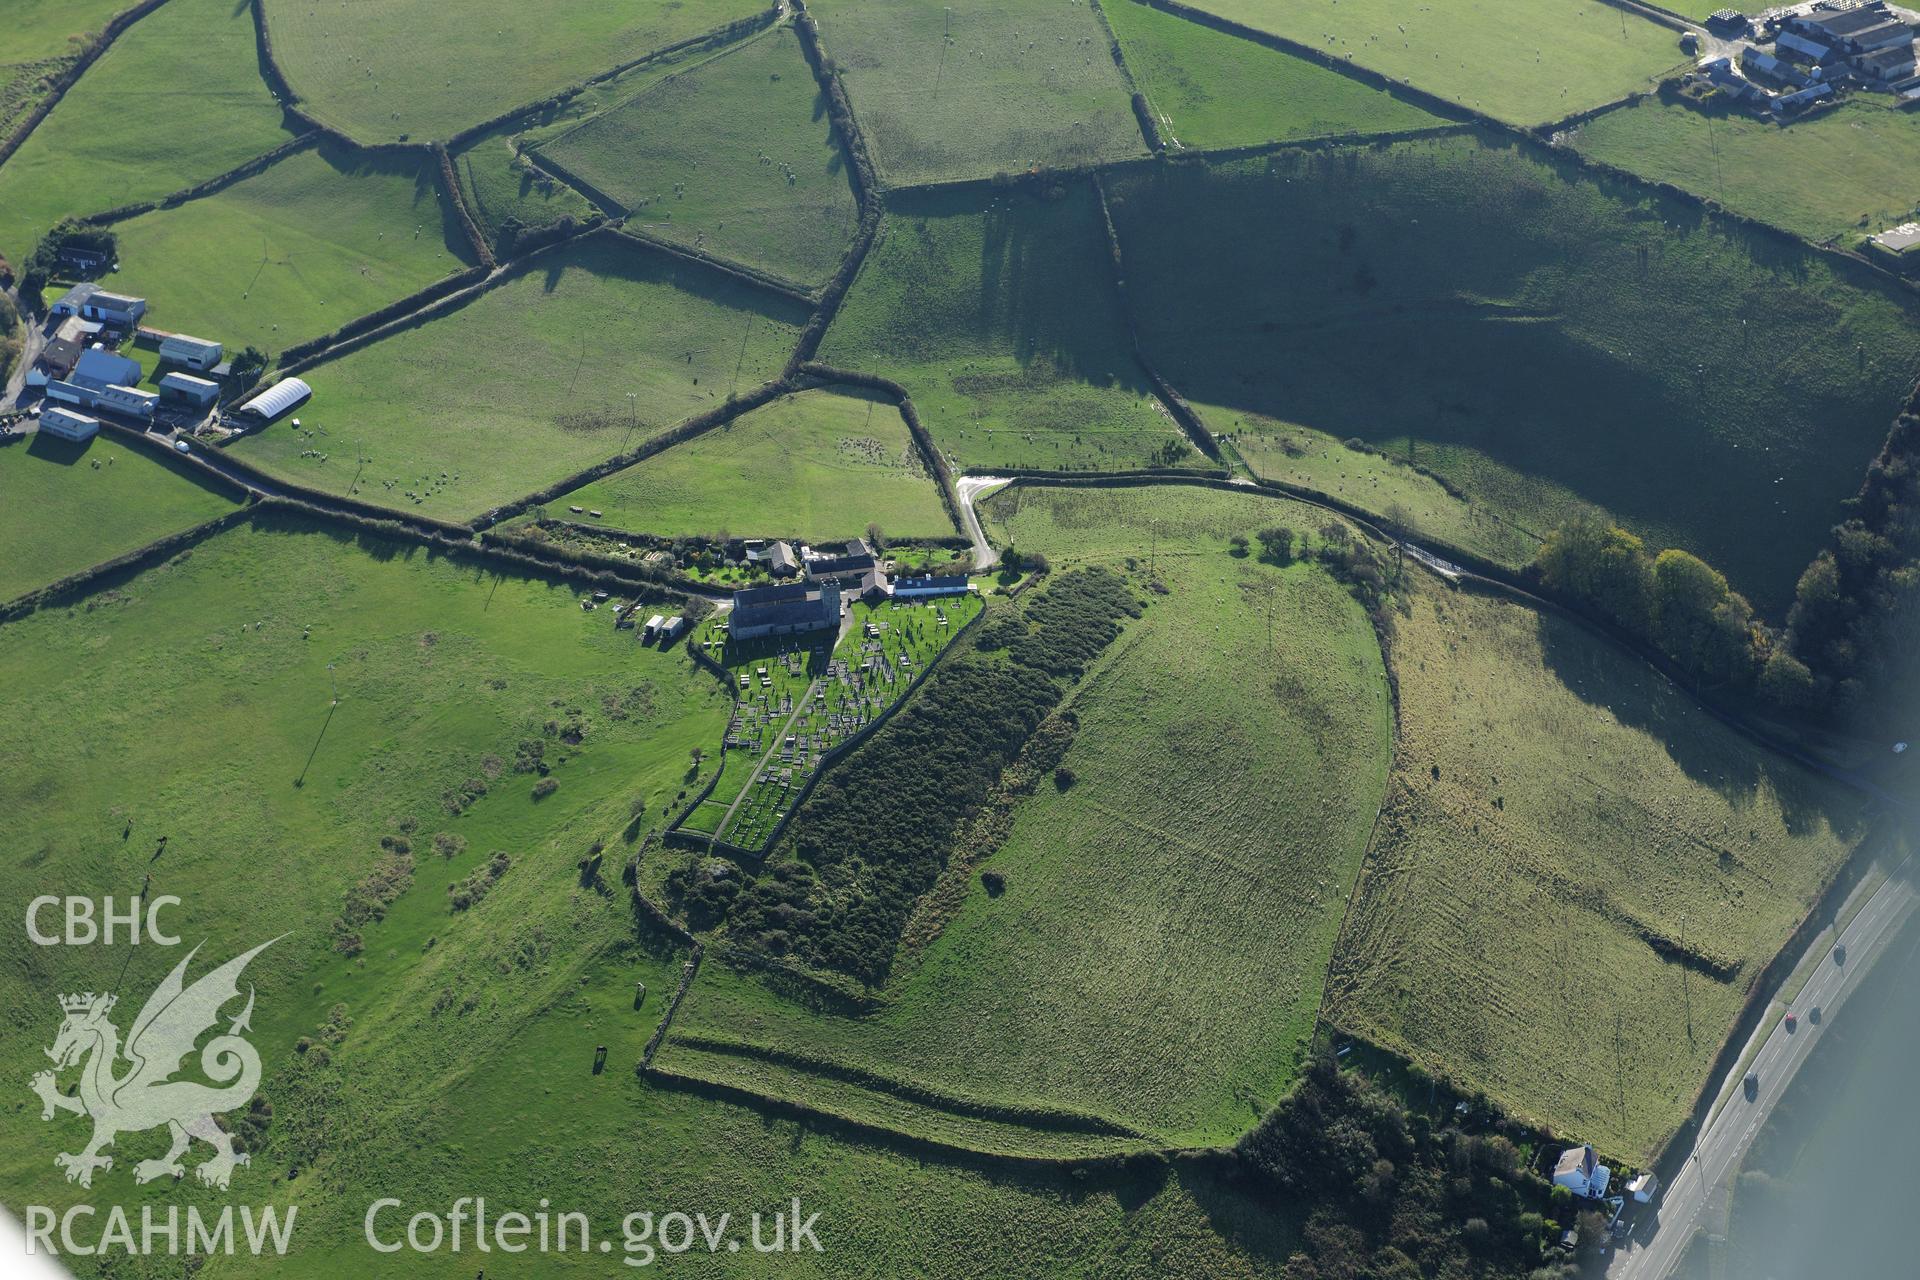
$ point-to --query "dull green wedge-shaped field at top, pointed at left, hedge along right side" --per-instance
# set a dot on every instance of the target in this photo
(734, 156)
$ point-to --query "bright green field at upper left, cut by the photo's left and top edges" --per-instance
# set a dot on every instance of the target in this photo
(99, 149)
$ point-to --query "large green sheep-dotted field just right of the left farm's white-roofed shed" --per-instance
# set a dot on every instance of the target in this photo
(562, 366)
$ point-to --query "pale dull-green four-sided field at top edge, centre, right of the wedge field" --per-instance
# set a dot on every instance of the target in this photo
(972, 91)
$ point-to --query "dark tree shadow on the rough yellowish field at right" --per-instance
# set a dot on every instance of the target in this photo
(1708, 751)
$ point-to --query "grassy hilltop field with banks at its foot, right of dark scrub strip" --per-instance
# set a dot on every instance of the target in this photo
(1159, 953)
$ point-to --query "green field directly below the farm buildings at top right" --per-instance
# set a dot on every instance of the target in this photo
(1836, 176)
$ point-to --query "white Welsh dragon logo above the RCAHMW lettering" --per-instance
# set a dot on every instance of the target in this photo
(145, 1097)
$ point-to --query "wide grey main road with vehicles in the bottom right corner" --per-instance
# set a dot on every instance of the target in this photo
(1698, 1193)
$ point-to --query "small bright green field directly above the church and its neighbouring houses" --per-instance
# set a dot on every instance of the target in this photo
(817, 465)
